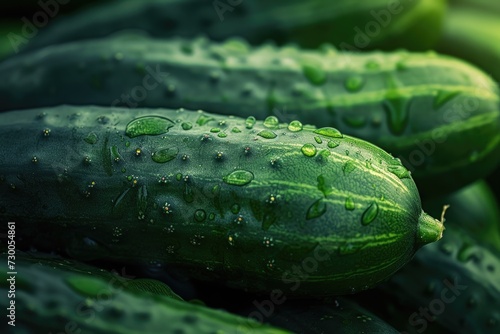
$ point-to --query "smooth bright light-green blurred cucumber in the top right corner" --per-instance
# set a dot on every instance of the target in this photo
(473, 34)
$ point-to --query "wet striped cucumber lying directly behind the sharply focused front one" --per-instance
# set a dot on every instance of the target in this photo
(231, 78)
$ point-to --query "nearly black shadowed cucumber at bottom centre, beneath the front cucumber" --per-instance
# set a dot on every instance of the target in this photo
(341, 316)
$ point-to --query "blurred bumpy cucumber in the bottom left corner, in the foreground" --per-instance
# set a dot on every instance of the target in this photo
(60, 298)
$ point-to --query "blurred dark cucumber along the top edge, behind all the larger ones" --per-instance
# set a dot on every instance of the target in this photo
(355, 26)
